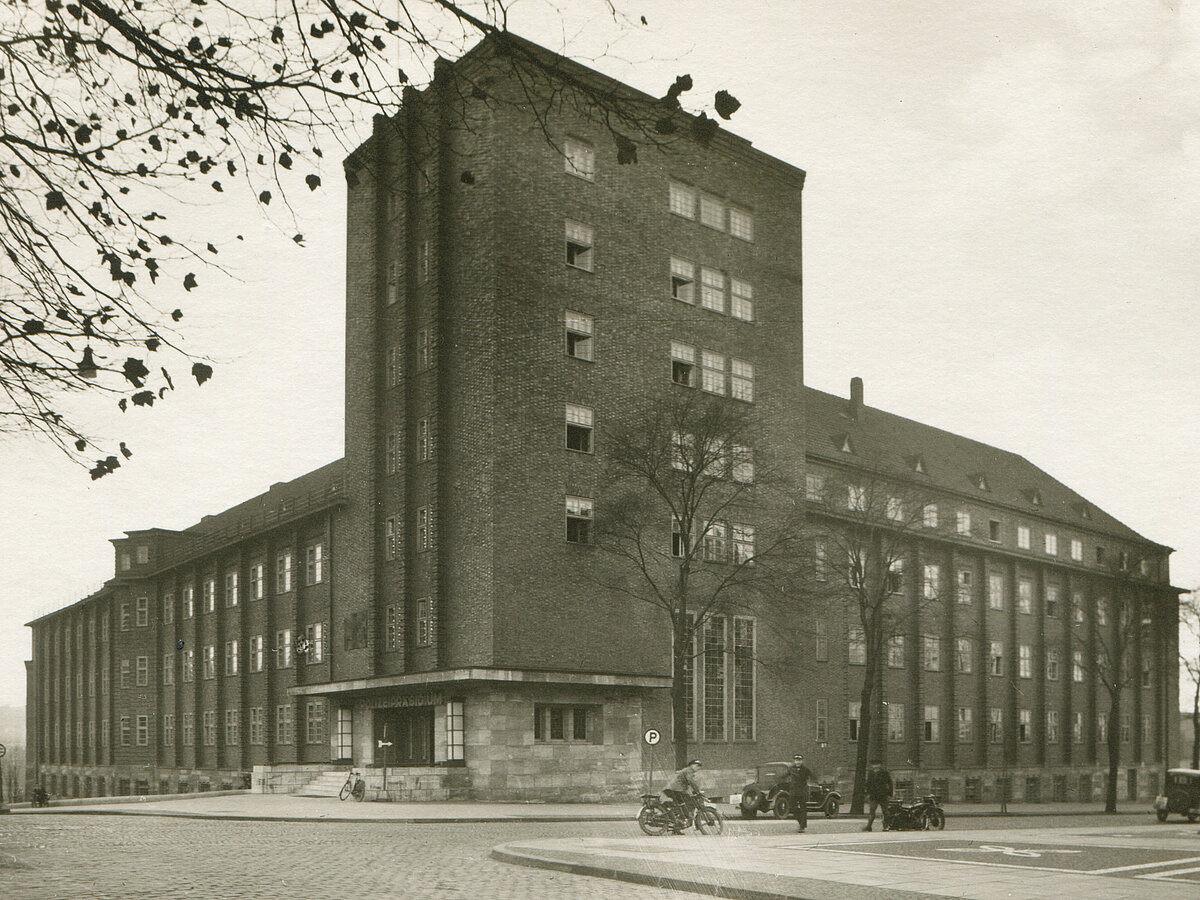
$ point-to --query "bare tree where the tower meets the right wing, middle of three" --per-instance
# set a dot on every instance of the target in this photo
(863, 531)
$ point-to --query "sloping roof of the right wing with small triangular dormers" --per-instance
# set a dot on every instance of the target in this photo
(949, 463)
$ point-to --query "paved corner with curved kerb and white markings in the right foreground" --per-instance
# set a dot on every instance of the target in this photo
(977, 865)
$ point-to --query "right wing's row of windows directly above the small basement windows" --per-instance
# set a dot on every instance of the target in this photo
(964, 725)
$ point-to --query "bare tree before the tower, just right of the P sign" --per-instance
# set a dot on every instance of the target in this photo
(703, 517)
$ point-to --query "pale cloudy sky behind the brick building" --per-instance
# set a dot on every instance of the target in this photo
(1000, 238)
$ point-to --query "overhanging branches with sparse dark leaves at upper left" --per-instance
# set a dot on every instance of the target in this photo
(111, 109)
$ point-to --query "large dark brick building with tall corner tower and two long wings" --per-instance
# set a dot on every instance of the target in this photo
(513, 292)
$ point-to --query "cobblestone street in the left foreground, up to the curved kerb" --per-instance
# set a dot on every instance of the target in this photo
(129, 857)
